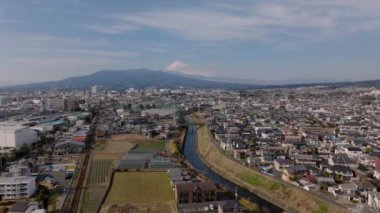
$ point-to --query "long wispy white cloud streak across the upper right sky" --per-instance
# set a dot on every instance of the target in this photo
(262, 20)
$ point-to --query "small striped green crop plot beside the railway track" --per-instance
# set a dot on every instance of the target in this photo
(100, 171)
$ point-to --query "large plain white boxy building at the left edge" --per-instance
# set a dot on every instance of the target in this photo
(14, 136)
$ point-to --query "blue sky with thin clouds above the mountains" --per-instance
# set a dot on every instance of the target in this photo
(277, 40)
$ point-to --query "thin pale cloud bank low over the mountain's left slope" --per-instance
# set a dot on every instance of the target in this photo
(51, 57)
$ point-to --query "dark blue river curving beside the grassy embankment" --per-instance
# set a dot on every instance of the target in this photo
(191, 154)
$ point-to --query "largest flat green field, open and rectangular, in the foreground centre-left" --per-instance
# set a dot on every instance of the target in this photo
(140, 187)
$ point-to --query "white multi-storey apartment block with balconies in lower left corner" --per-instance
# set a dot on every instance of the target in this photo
(17, 187)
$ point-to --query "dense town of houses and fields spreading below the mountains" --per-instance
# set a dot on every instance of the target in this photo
(74, 150)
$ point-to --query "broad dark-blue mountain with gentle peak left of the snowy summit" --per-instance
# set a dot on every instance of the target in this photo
(137, 78)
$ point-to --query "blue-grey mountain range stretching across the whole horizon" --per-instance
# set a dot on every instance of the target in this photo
(143, 78)
